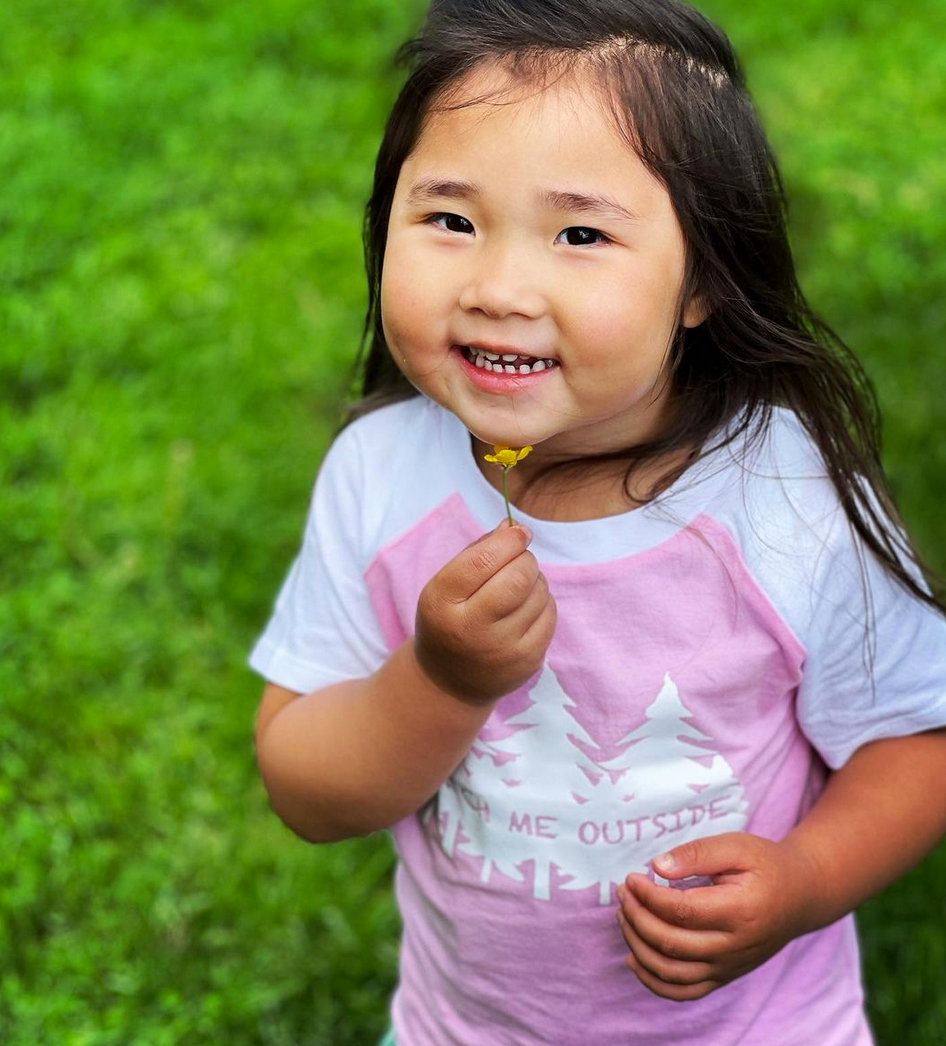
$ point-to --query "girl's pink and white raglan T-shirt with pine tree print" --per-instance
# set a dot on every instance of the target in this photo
(712, 661)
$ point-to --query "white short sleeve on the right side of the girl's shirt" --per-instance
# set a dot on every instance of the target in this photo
(874, 655)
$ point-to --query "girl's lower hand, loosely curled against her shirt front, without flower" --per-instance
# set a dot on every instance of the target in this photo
(687, 943)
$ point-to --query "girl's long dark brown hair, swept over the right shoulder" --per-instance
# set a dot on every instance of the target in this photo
(678, 95)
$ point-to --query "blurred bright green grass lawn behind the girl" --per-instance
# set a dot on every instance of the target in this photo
(181, 298)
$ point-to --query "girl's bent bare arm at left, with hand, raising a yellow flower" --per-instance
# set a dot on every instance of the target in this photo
(359, 756)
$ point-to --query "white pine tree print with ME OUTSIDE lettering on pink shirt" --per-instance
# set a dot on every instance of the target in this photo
(537, 798)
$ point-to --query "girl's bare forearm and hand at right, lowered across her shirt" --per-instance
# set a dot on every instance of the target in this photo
(880, 815)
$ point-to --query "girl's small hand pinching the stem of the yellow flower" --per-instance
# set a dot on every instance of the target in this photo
(486, 620)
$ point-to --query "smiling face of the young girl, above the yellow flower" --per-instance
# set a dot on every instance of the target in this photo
(533, 270)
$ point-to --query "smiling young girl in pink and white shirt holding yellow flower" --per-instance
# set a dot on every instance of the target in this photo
(654, 742)
